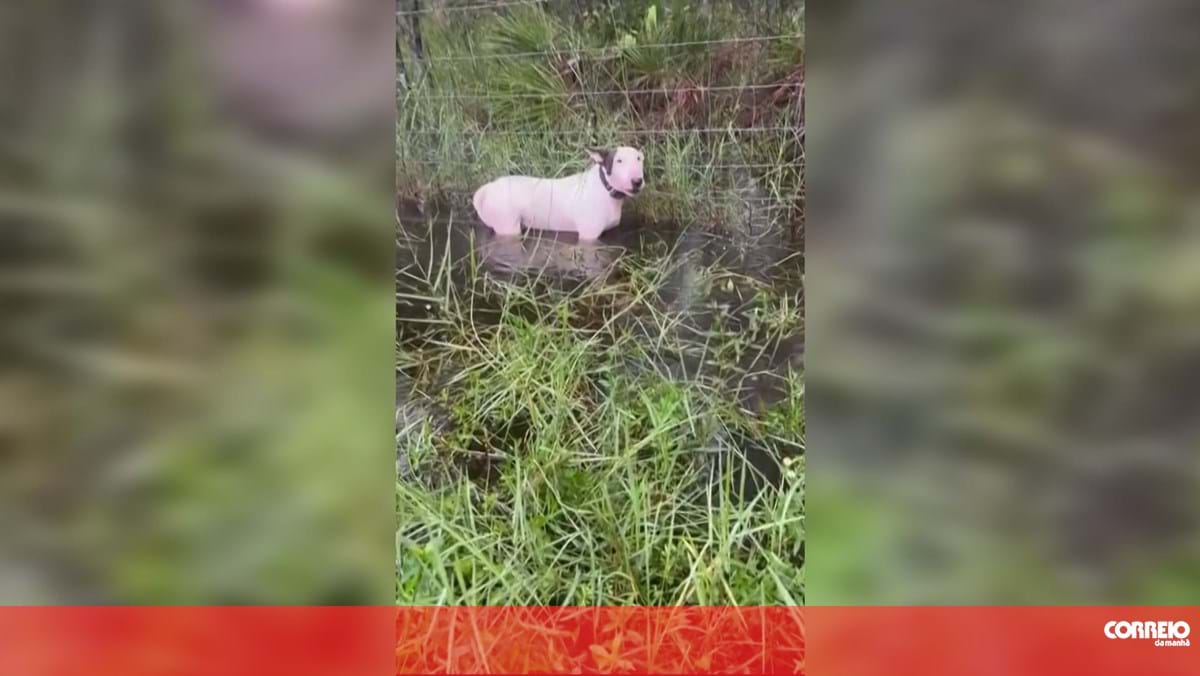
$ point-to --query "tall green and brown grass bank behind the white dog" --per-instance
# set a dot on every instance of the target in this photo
(643, 75)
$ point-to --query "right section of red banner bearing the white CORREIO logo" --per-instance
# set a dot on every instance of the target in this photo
(987, 641)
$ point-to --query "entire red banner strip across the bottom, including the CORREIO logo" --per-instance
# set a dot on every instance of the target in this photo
(839, 642)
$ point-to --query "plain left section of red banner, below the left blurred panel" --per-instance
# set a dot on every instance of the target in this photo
(196, 642)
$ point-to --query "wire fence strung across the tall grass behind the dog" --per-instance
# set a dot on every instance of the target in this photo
(460, 118)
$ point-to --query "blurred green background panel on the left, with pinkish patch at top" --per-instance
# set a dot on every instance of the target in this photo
(196, 280)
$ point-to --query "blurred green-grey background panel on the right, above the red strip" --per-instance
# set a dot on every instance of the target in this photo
(1005, 303)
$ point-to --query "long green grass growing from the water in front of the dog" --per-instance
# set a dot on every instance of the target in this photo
(581, 446)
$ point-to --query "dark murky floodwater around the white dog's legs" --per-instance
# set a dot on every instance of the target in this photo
(753, 254)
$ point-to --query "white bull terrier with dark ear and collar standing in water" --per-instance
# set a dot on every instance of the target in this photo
(587, 204)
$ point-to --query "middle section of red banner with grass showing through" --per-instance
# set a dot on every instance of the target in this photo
(573, 641)
